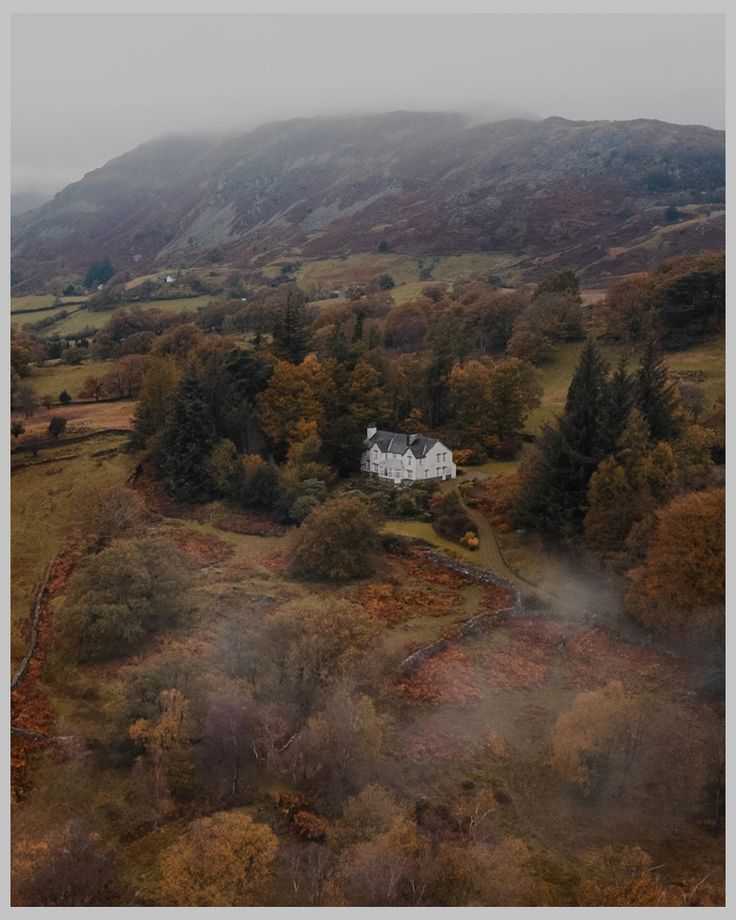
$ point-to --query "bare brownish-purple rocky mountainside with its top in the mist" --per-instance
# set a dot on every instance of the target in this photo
(605, 197)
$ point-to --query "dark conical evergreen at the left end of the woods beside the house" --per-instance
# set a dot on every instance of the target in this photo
(186, 442)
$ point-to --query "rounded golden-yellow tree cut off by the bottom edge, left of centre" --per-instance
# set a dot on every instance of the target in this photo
(223, 860)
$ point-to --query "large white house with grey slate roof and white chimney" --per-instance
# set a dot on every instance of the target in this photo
(405, 458)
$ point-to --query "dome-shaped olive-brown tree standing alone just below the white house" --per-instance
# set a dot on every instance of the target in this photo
(336, 541)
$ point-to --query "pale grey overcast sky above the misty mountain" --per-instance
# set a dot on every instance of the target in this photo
(86, 88)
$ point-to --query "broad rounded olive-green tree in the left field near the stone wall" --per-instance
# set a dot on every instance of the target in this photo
(116, 598)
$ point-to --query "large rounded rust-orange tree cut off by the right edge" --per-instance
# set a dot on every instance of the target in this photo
(679, 590)
